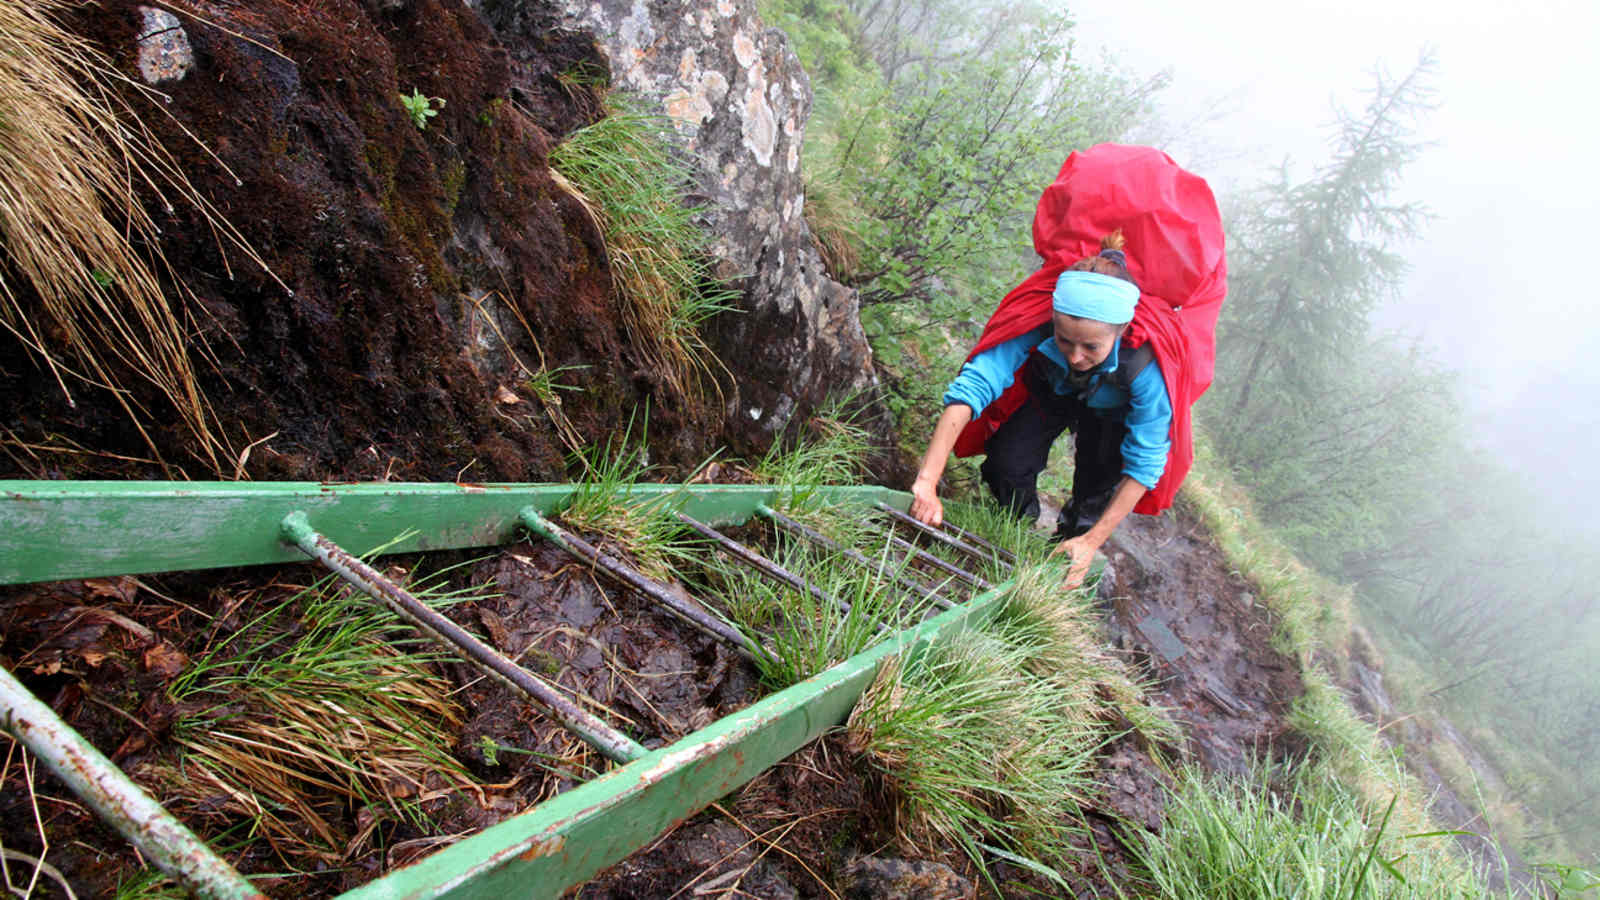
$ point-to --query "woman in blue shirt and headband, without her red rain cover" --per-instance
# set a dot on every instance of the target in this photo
(1079, 377)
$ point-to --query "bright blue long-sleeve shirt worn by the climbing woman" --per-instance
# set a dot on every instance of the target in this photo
(1145, 406)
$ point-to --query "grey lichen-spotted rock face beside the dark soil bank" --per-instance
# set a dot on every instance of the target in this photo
(738, 100)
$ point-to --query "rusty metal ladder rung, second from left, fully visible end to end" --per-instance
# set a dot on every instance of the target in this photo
(601, 736)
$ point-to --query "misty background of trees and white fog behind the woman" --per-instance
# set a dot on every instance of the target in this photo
(1404, 401)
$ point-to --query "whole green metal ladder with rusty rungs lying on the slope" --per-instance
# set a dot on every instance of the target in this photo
(60, 531)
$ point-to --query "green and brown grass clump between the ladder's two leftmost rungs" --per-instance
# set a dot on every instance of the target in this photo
(319, 707)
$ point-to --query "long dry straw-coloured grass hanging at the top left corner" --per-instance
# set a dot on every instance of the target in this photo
(73, 158)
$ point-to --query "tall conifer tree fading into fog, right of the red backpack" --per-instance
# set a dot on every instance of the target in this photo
(1313, 408)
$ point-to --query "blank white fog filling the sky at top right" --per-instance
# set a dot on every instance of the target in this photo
(1500, 286)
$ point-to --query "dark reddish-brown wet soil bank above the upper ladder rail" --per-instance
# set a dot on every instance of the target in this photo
(415, 278)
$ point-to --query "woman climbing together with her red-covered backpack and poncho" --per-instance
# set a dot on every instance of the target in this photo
(1108, 339)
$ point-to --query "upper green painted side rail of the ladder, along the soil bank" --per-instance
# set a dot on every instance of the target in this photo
(57, 531)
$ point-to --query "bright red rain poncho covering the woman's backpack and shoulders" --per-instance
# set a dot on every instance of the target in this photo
(1175, 254)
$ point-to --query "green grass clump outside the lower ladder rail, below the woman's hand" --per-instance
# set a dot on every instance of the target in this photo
(991, 739)
